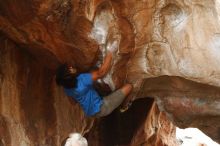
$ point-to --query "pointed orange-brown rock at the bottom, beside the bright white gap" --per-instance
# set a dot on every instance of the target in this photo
(156, 130)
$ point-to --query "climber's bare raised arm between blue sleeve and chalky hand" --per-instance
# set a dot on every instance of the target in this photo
(102, 71)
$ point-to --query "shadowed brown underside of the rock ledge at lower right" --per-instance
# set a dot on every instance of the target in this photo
(186, 103)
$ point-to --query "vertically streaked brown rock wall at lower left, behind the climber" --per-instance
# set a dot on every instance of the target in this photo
(33, 111)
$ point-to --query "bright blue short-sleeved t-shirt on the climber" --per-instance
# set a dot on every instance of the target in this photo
(85, 94)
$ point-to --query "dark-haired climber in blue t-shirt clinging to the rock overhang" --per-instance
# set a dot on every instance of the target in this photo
(80, 87)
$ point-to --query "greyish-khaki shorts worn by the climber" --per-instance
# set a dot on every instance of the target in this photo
(110, 103)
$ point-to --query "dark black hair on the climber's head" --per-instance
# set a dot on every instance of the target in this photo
(65, 78)
